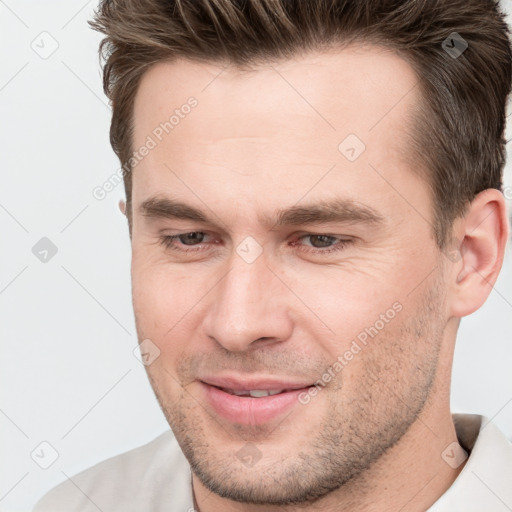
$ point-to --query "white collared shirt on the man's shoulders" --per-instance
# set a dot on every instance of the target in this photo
(156, 477)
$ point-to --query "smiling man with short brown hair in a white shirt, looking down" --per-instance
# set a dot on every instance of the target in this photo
(313, 199)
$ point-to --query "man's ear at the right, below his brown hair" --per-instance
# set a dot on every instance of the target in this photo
(481, 237)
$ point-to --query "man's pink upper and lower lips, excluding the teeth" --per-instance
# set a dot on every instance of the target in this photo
(248, 410)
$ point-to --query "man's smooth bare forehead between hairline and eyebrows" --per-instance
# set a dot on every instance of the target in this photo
(276, 127)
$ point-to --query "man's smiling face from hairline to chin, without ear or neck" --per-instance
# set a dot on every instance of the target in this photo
(268, 288)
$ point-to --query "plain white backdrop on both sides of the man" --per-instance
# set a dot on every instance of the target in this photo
(68, 375)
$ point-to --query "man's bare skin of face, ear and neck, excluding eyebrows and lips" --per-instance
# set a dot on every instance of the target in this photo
(265, 140)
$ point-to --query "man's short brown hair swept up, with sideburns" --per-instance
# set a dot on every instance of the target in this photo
(459, 127)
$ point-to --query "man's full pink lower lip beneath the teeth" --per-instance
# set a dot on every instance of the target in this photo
(247, 410)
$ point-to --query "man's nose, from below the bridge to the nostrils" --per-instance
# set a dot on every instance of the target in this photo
(248, 307)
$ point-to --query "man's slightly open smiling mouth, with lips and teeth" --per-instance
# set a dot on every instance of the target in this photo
(252, 404)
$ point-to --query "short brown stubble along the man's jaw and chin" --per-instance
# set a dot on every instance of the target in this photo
(370, 415)
